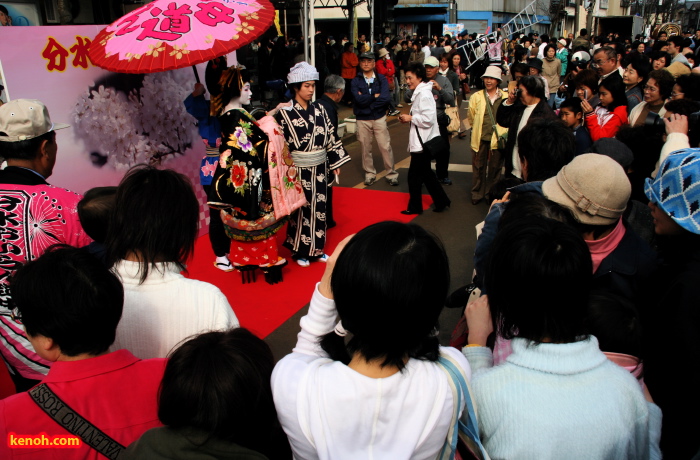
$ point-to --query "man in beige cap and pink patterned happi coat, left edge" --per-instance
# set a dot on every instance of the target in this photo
(33, 216)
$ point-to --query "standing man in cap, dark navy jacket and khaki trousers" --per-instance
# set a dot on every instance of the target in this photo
(372, 98)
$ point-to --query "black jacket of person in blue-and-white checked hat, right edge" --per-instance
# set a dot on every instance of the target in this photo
(671, 328)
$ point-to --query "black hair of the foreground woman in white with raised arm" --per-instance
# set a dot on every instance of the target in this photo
(389, 283)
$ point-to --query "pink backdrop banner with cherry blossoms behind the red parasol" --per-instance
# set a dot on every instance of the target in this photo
(117, 120)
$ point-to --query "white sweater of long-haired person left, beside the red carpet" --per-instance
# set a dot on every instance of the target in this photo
(166, 309)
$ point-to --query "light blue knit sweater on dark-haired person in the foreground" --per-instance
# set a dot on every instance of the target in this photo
(561, 401)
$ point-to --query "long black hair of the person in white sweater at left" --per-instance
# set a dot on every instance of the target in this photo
(156, 218)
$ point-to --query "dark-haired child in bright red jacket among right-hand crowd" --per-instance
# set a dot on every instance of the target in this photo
(606, 119)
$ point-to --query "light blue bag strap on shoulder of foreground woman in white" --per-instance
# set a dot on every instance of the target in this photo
(462, 438)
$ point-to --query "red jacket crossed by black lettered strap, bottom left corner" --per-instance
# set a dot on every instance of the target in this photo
(116, 392)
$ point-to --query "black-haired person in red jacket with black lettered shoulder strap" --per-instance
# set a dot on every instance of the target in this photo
(70, 305)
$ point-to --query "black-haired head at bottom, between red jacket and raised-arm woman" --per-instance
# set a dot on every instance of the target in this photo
(219, 383)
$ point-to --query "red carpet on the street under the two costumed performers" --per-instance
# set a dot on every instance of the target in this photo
(261, 307)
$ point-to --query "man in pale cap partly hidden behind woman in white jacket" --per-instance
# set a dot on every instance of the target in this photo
(444, 96)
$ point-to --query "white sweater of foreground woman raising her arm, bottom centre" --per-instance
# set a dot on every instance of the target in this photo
(329, 411)
